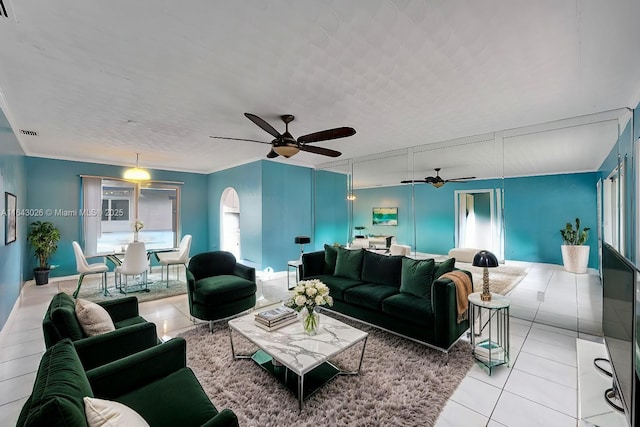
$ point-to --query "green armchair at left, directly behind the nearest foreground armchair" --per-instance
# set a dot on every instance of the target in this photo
(133, 333)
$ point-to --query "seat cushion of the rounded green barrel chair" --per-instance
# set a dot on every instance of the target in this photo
(219, 290)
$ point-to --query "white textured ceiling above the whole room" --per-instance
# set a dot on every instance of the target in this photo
(101, 81)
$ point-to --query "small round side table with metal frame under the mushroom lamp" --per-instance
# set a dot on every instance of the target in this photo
(490, 338)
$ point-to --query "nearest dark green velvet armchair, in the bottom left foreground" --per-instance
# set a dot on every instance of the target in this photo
(155, 383)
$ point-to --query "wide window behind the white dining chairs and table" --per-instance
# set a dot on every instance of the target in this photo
(120, 203)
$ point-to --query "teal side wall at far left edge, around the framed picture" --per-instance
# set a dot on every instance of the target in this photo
(12, 256)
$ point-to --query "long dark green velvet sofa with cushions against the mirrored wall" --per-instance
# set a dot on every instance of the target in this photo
(395, 293)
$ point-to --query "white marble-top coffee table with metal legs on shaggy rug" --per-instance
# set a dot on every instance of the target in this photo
(300, 361)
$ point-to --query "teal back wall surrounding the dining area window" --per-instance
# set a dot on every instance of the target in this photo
(56, 184)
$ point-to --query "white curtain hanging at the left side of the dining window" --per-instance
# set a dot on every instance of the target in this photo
(92, 218)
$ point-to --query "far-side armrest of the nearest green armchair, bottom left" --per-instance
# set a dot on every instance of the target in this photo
(137, 370)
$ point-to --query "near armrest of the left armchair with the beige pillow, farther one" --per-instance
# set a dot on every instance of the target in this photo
(104, 348)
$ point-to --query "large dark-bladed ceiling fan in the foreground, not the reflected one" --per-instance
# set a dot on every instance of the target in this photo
(286, 145)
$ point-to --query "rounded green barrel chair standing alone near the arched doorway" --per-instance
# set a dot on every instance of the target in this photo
(218, 287)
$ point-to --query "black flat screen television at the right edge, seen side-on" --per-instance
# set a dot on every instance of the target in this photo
(619, 281)
